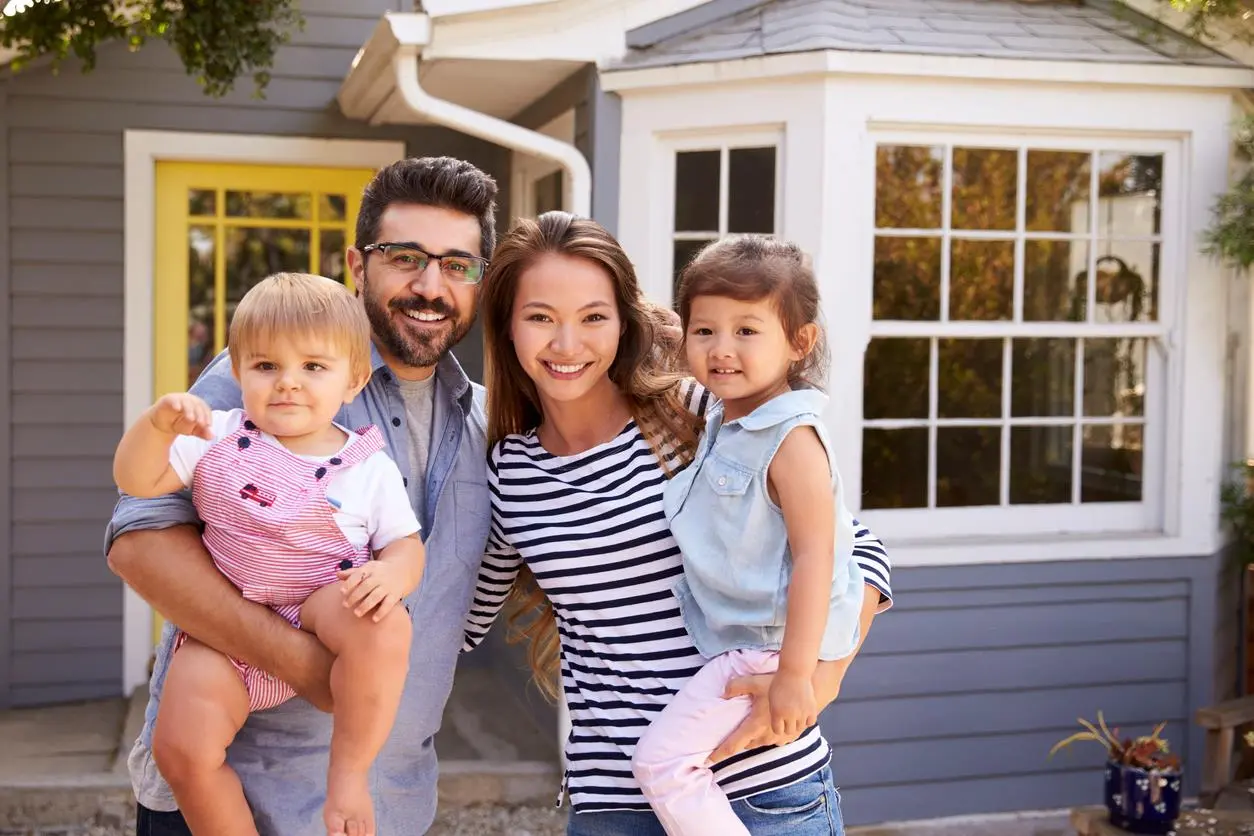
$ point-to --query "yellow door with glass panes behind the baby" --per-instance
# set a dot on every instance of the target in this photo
(223, 229)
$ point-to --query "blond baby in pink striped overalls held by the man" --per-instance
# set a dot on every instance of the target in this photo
(293, 503)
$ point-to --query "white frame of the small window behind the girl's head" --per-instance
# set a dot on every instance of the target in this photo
(724, 141)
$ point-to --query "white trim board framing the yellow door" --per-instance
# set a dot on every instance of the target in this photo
(142, 151)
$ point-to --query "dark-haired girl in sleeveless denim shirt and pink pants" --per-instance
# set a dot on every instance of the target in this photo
(769, 581)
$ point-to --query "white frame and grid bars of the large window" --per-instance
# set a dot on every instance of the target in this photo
(1164, 363)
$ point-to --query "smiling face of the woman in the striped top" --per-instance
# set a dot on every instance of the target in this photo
(566, 328)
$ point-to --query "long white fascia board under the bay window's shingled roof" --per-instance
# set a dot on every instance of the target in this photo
(904, 65)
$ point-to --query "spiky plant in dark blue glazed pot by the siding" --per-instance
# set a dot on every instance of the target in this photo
(1143, 778)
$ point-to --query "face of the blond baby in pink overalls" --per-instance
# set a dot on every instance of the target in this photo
(294, 387)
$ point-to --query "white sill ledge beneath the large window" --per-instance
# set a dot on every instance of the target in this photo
(1048, 548)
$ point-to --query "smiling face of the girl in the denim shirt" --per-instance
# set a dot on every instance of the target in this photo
(740, 353)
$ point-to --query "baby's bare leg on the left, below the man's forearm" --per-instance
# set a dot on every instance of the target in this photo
(203, 708)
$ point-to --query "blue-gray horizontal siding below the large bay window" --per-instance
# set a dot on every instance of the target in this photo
(966, 684)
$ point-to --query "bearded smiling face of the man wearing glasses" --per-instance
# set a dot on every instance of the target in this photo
(418, 316)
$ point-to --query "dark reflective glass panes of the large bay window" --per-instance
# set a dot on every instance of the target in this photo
(1038, 389)
